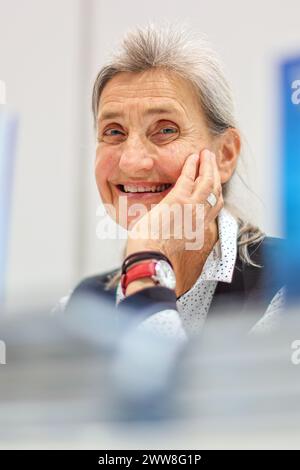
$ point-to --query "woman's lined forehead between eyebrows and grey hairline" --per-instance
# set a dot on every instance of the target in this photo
(152, 87)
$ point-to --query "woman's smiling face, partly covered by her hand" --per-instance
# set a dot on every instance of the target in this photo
(148, 124)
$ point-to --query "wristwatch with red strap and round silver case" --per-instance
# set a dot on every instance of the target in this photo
(159, 271)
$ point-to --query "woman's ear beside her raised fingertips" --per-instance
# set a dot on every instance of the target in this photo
(228, 150)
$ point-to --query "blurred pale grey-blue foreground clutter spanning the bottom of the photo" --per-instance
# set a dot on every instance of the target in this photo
(93, 379)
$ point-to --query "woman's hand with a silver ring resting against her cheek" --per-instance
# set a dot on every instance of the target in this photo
(181, 219)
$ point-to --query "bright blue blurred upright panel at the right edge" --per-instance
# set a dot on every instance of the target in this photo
(290, 151)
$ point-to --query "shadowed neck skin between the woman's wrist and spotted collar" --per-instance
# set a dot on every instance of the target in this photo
(194, 260)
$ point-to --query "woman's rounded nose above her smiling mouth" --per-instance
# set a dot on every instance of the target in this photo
(135, 158)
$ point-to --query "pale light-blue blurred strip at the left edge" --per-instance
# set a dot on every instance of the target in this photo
(8, 126)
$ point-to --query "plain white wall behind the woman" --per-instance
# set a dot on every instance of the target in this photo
(50, 52)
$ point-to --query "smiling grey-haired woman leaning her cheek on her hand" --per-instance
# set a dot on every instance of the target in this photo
(167, 138)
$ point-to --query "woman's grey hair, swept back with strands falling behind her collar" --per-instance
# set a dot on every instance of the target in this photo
(191, 57)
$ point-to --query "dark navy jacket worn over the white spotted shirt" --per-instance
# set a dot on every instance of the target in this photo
(250, 286)
